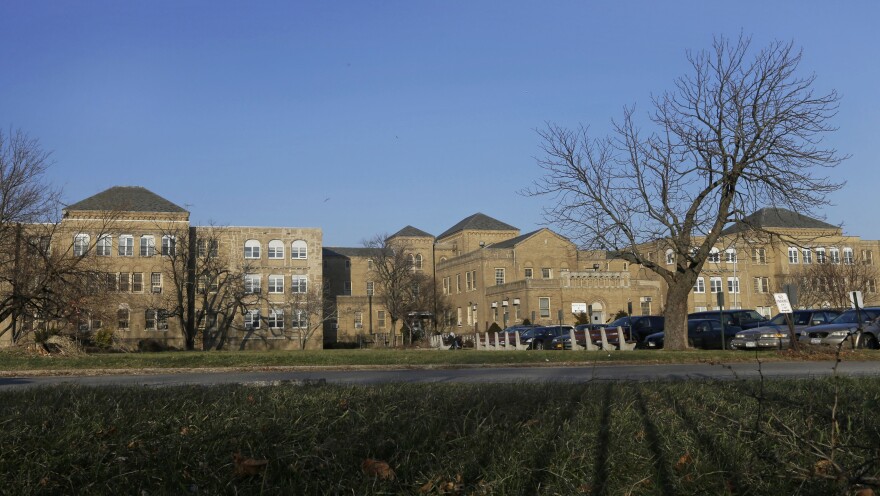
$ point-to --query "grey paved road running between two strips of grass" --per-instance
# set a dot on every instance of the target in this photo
(465, 375)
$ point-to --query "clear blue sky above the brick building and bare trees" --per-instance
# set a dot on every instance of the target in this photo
(361, 117)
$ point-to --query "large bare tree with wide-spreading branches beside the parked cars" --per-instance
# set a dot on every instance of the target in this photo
(740, 131)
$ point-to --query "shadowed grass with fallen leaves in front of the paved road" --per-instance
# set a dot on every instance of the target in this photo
(730, 437)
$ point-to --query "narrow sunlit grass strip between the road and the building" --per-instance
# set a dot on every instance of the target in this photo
(11, 360)
